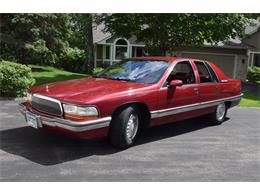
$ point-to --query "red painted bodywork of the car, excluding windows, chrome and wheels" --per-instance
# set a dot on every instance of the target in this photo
(109, 95)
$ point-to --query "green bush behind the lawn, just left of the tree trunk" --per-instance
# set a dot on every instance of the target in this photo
(72, 59)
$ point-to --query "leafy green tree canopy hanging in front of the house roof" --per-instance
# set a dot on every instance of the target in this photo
(164, 32)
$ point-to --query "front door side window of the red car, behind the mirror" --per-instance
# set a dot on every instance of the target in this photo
(182, 71)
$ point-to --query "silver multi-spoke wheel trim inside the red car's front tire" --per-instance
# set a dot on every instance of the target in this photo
(132, 126)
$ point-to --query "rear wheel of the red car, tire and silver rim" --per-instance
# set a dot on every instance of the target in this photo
(219, 115)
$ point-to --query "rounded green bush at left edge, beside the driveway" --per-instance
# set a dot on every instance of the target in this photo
(15, 79)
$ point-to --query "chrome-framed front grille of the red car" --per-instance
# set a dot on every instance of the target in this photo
(46, 104)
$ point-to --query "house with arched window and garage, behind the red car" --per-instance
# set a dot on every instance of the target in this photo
(232, 56)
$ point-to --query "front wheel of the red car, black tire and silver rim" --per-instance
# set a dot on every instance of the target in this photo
(125, 127)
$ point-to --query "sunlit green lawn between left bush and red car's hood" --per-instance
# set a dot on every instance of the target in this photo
(47, 74)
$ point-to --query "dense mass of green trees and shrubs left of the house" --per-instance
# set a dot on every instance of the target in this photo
(49, 39)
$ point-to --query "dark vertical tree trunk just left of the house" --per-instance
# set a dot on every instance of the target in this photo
(89, 64)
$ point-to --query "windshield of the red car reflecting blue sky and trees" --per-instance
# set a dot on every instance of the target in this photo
(140, 71)
